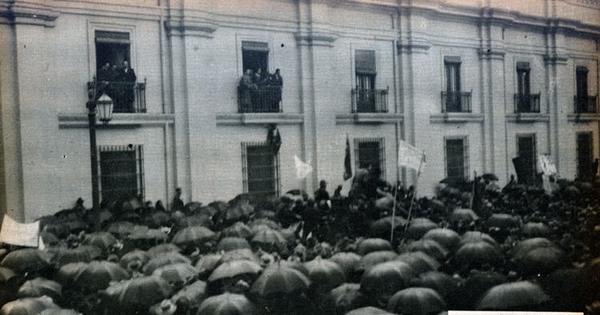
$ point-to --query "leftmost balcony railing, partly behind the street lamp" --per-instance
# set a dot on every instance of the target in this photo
(128, 97)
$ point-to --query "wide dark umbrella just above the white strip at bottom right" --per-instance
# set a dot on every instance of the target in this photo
(514, 296)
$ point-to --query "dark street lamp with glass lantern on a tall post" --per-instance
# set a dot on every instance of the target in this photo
(100, 108)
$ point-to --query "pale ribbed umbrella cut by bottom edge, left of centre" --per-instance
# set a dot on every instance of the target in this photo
(228, 304)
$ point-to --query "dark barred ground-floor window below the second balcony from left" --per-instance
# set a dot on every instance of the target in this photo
(260, 168)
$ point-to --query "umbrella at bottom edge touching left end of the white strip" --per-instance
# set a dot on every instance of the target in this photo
(416, 301)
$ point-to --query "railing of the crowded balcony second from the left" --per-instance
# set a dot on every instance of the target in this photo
(263, 99)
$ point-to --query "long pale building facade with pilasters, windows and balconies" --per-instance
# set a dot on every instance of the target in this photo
(473, 83)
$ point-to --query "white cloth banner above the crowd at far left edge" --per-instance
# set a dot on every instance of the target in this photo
(20, 234)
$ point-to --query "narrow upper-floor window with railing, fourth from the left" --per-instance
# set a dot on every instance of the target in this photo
(453, 100)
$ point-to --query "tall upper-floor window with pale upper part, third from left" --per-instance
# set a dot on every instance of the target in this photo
(364, 64)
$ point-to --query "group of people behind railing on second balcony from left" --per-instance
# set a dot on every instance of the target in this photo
(260, 91)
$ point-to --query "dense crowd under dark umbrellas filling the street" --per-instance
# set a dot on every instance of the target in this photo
(520, 250)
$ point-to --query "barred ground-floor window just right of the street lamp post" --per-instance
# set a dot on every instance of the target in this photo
(121, 172)
